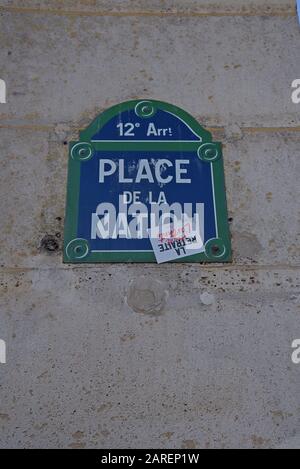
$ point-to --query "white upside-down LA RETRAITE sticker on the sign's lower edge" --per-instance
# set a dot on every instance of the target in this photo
(175, 242)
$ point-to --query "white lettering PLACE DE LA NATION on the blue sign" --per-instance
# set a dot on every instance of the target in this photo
(112, 222)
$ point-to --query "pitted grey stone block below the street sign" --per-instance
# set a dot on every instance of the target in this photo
(83, 363)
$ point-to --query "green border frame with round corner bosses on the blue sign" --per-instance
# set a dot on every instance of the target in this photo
(77, 250)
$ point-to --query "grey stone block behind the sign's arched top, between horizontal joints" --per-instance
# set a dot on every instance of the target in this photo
(64, 69)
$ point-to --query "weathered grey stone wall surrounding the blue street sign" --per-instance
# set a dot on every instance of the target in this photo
(92, 361)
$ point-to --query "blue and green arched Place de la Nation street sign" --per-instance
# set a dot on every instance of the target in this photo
(146, 184)
